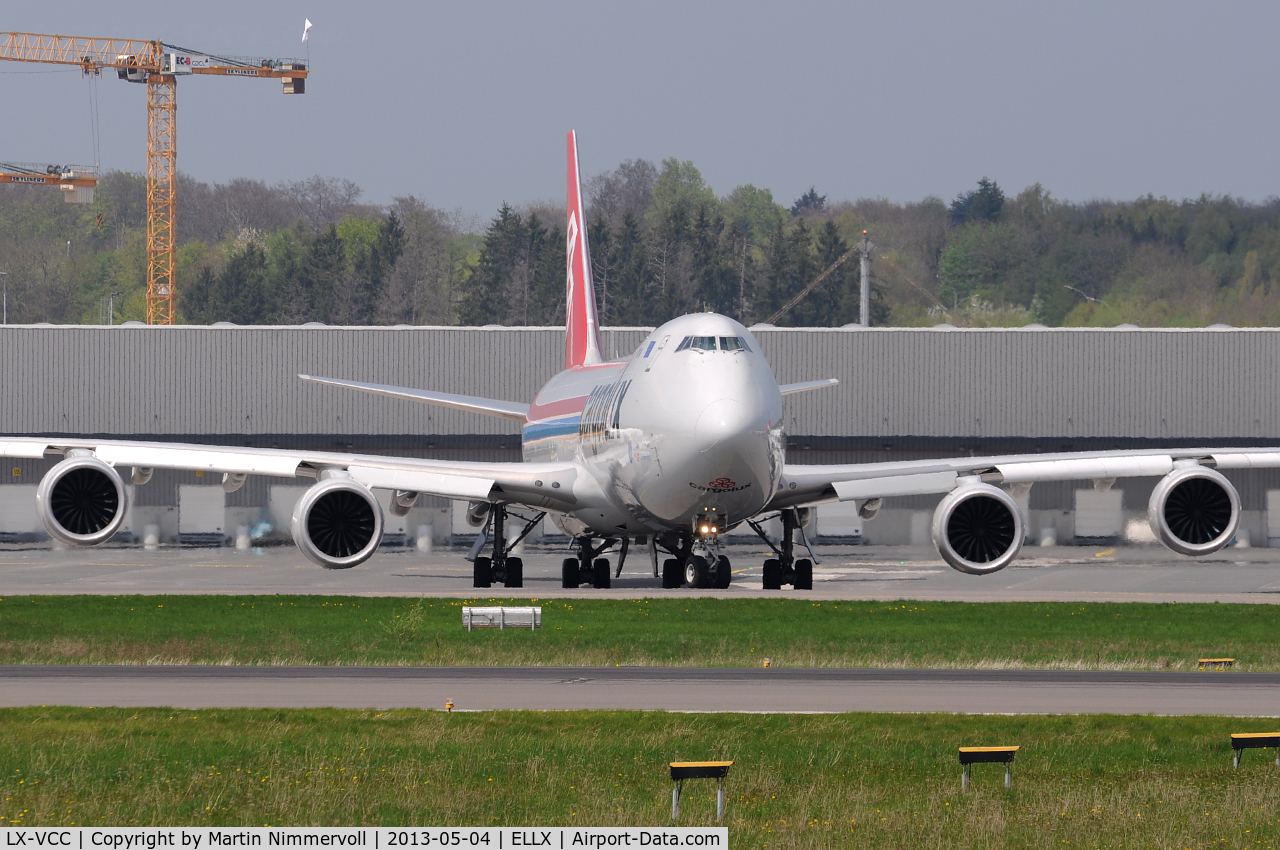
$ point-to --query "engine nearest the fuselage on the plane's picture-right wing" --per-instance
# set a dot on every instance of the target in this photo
(979, 529)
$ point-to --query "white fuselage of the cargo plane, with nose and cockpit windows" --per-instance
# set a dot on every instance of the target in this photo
(666, 435)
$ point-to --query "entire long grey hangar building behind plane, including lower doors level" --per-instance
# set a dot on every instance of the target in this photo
(904, 394)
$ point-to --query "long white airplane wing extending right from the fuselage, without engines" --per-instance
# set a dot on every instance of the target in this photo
(806, 485)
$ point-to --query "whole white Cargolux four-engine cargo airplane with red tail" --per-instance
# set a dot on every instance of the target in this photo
(671, 447)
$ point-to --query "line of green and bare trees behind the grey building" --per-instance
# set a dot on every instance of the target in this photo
(664, 244)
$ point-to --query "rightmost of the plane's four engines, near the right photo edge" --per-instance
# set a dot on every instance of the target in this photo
(1195, 510)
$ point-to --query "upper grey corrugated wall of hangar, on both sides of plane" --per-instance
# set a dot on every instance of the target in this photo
(1053, 385)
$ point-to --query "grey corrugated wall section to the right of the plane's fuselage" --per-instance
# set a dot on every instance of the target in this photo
(1068, 385)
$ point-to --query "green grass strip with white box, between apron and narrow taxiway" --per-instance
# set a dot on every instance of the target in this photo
(336, 630)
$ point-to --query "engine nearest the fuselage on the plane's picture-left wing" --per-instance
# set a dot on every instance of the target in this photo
(337, 524)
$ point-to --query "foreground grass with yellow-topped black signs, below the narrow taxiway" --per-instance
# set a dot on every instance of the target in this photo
(848, 780)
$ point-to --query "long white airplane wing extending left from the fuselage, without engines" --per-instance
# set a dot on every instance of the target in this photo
(542, 486)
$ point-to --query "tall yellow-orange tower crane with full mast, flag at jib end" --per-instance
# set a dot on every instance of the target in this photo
(158, 66)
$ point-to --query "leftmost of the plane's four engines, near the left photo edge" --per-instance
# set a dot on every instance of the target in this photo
(83, 501)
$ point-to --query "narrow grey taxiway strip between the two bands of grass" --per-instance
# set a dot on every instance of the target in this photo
(674, 689)
